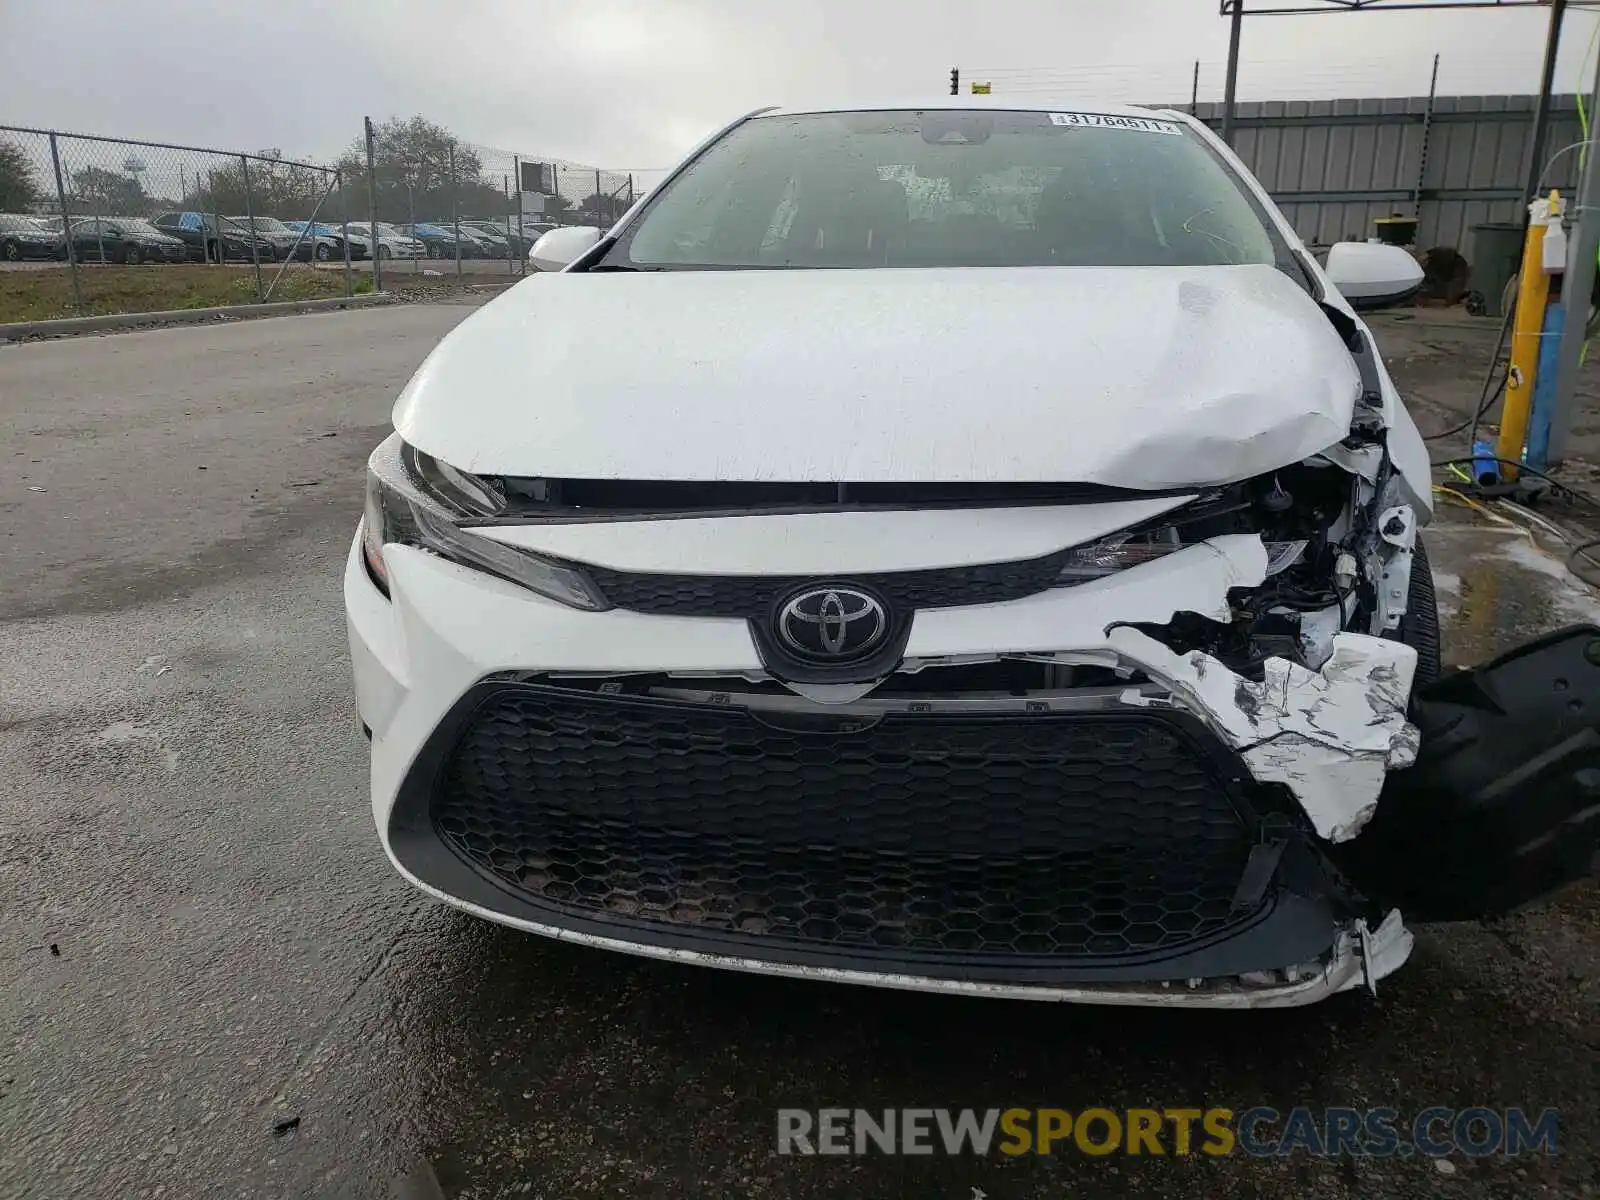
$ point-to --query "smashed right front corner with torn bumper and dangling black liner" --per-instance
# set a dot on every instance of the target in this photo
(1385, 785)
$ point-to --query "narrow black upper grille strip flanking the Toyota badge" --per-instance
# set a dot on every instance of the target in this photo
(753, 596)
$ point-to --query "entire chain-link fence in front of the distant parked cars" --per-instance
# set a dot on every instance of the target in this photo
(407, 196)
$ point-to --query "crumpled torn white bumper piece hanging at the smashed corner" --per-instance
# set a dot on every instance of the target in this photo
(1330, 735)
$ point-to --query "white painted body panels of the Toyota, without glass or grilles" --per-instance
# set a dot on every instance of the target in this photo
(1161, 382)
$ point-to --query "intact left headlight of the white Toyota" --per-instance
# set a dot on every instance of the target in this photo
(415, 500)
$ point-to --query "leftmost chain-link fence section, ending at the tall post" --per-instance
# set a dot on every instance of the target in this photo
(274, 225)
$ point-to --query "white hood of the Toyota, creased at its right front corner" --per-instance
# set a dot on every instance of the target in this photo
(1126, 377)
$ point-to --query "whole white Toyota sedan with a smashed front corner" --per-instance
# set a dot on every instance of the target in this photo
(953, 548)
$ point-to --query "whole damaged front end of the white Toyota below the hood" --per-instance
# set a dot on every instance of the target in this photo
(1185, 746)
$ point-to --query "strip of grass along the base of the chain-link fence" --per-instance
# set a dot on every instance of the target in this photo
(47, 294)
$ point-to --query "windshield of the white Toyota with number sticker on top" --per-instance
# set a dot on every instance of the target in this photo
(951, 190)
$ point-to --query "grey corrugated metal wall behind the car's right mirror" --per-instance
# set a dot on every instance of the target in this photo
(1337, 166)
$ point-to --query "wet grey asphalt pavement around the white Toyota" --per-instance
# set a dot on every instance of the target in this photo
(212, 985)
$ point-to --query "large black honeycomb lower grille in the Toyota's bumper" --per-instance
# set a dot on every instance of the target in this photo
(1052, 834)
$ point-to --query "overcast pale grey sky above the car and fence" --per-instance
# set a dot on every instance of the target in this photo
(634, 84)
